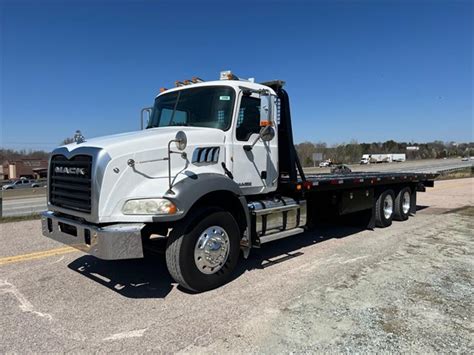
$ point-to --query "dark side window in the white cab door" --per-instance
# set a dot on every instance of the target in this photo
(248, 121)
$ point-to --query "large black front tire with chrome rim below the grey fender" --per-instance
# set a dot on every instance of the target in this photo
(203, 253)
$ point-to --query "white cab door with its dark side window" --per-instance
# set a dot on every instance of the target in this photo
(255, 170)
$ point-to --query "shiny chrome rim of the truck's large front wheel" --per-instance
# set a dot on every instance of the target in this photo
(211, 250)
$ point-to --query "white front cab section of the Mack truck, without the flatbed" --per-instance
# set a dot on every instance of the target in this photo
(207, 149)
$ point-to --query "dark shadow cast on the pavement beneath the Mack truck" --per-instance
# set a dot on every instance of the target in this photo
(149, 277)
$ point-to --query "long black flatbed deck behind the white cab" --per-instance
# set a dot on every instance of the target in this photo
(329, 181)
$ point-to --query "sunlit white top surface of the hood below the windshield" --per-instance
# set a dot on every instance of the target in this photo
(149, 139)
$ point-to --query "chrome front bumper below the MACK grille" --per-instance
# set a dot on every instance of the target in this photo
(117, 241)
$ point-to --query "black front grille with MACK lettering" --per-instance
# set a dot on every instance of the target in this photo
(70, 182)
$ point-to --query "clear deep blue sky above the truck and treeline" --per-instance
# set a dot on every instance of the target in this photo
(355, 70)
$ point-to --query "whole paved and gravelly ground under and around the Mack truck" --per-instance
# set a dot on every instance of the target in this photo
(408, 288)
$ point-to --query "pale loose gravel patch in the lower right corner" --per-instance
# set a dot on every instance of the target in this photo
(418, 299)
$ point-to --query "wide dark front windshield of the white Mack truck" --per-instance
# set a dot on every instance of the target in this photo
(198, 107)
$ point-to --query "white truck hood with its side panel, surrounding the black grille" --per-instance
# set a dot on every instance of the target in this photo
(116, 180)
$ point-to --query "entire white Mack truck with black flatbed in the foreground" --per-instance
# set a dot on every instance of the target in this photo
(215, 173)
